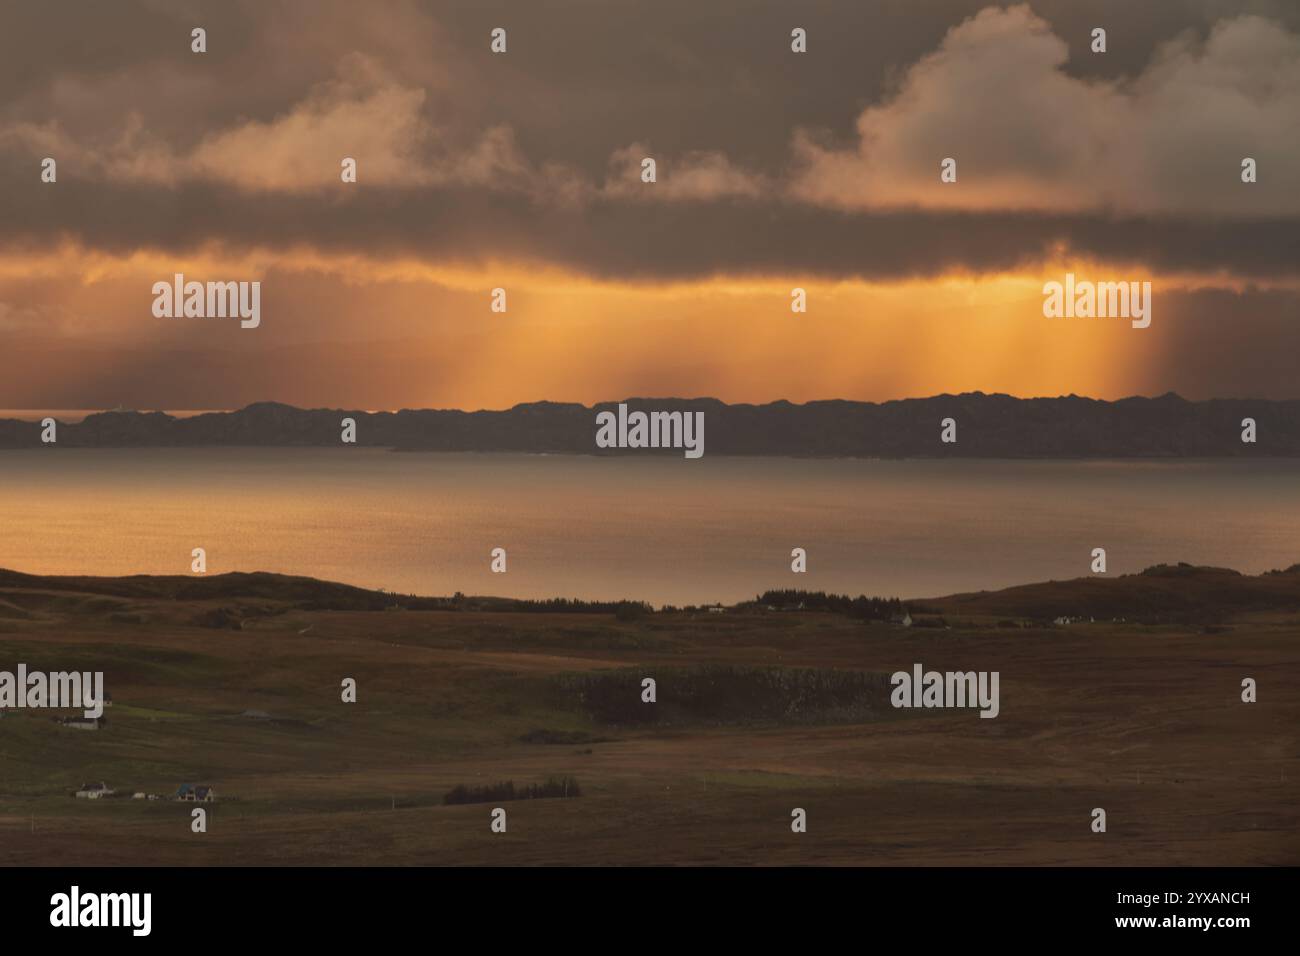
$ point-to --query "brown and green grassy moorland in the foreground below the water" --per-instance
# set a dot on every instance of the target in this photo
(235, 681)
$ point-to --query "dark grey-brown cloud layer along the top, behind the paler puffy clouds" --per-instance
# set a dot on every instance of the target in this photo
(580, 80)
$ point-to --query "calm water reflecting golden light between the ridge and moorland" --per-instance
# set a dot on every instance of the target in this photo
(664, 530)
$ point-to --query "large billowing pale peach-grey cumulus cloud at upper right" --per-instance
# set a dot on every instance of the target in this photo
(1029, 136)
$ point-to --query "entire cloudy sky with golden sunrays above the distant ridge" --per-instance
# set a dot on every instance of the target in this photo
(523, 171)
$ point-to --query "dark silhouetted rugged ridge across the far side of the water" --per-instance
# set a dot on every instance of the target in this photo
(989, 426)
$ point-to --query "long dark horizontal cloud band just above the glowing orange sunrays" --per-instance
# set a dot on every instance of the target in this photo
(614, 239)
